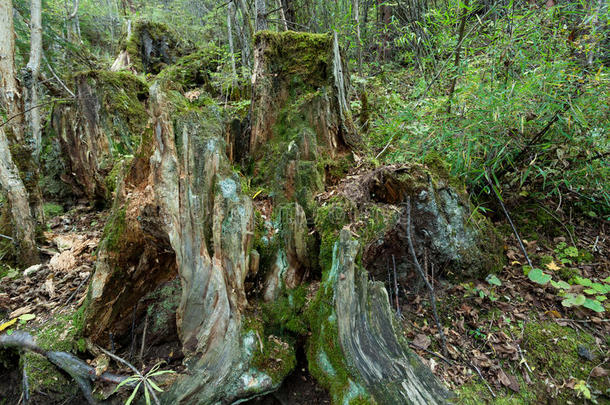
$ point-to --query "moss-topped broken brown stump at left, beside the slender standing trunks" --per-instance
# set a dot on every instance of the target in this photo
(104, 127)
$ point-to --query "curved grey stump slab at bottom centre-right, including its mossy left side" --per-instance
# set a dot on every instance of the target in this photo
(355, 351)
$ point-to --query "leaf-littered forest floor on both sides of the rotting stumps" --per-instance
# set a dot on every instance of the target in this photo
(506, 338)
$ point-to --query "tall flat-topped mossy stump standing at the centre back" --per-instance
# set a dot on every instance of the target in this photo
(299, 113)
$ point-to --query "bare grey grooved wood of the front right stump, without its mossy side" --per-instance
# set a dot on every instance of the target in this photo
(379, 356)
